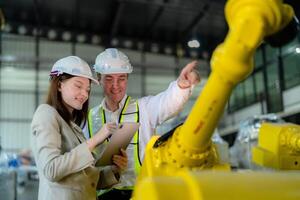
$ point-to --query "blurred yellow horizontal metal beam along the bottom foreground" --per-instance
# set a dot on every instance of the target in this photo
(208, 185)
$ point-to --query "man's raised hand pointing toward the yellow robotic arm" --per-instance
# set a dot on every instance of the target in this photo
(189, 76)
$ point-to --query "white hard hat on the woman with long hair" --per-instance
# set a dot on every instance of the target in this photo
(72, 65)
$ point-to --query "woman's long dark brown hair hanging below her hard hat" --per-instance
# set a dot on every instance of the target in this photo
(54, 99)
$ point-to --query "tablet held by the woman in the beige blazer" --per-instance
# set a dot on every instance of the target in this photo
(120, 139)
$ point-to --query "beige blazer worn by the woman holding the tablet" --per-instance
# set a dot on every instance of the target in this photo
(65, 165)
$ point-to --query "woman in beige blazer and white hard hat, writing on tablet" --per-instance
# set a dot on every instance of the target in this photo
(65, 162)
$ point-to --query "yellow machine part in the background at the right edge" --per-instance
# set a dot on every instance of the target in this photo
(278, 146)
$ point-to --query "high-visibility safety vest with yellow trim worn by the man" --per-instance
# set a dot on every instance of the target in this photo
(129, 113)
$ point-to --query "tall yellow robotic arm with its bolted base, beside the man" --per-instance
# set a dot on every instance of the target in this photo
(190, 148)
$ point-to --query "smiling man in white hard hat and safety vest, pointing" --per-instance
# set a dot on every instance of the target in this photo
(112, 68)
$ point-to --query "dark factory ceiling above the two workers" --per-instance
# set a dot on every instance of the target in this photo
(160, 26)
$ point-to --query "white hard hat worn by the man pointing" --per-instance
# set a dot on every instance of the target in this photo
(112, 61)
